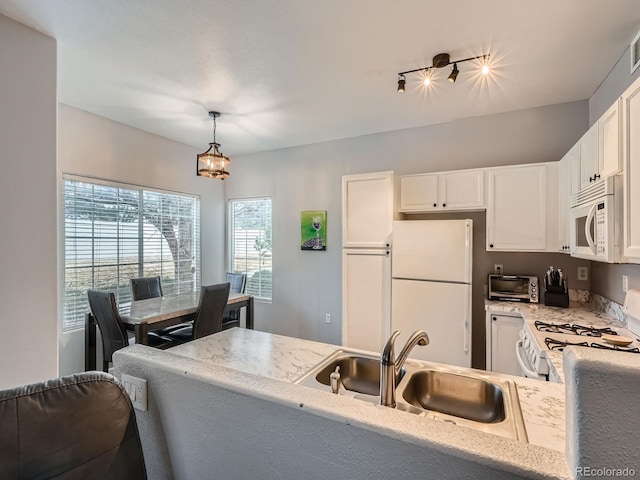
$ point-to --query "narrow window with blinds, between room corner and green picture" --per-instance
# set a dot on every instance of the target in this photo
(250, 241)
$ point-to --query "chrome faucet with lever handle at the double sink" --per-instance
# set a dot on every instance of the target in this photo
(390, 366)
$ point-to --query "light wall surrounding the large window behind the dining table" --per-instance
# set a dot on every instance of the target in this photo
(93, 146)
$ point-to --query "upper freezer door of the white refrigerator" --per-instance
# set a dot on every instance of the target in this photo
(433, 250)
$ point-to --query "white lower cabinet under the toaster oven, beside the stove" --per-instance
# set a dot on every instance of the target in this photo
(502, 334)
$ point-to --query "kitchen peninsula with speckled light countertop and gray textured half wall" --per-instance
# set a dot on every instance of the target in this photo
(227, 403)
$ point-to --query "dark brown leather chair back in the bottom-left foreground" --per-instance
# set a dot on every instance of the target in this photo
(75, 427)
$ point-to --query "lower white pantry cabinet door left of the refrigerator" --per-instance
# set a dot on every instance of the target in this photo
(366, 298)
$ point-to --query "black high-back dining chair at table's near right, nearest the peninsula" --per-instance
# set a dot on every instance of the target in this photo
(213, 300)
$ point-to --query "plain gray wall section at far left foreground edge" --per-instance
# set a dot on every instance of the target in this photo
(28, 300)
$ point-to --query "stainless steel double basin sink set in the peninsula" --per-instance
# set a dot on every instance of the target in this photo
(478, 400)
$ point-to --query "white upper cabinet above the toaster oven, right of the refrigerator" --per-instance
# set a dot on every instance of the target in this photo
(522, 211)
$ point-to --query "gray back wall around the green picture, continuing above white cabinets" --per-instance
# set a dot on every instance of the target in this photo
(306, 284)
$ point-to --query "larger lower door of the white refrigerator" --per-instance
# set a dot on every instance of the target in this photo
(443, 310)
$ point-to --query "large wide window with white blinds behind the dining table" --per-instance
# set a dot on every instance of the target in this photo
(113, 233)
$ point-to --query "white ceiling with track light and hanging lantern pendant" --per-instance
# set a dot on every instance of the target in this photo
(295, 72)
